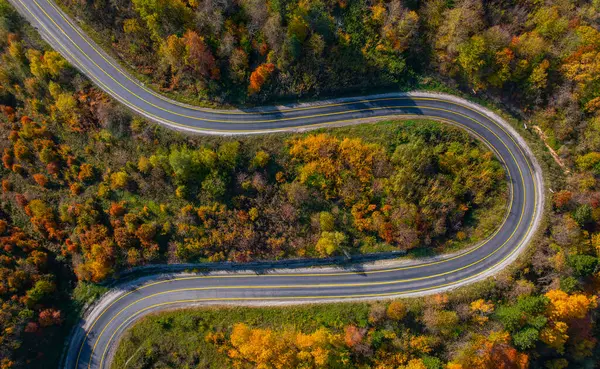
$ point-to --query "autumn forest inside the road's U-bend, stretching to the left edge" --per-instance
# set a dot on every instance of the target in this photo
(89, 190)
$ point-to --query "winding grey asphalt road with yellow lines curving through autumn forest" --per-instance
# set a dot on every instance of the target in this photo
(97, 333)
